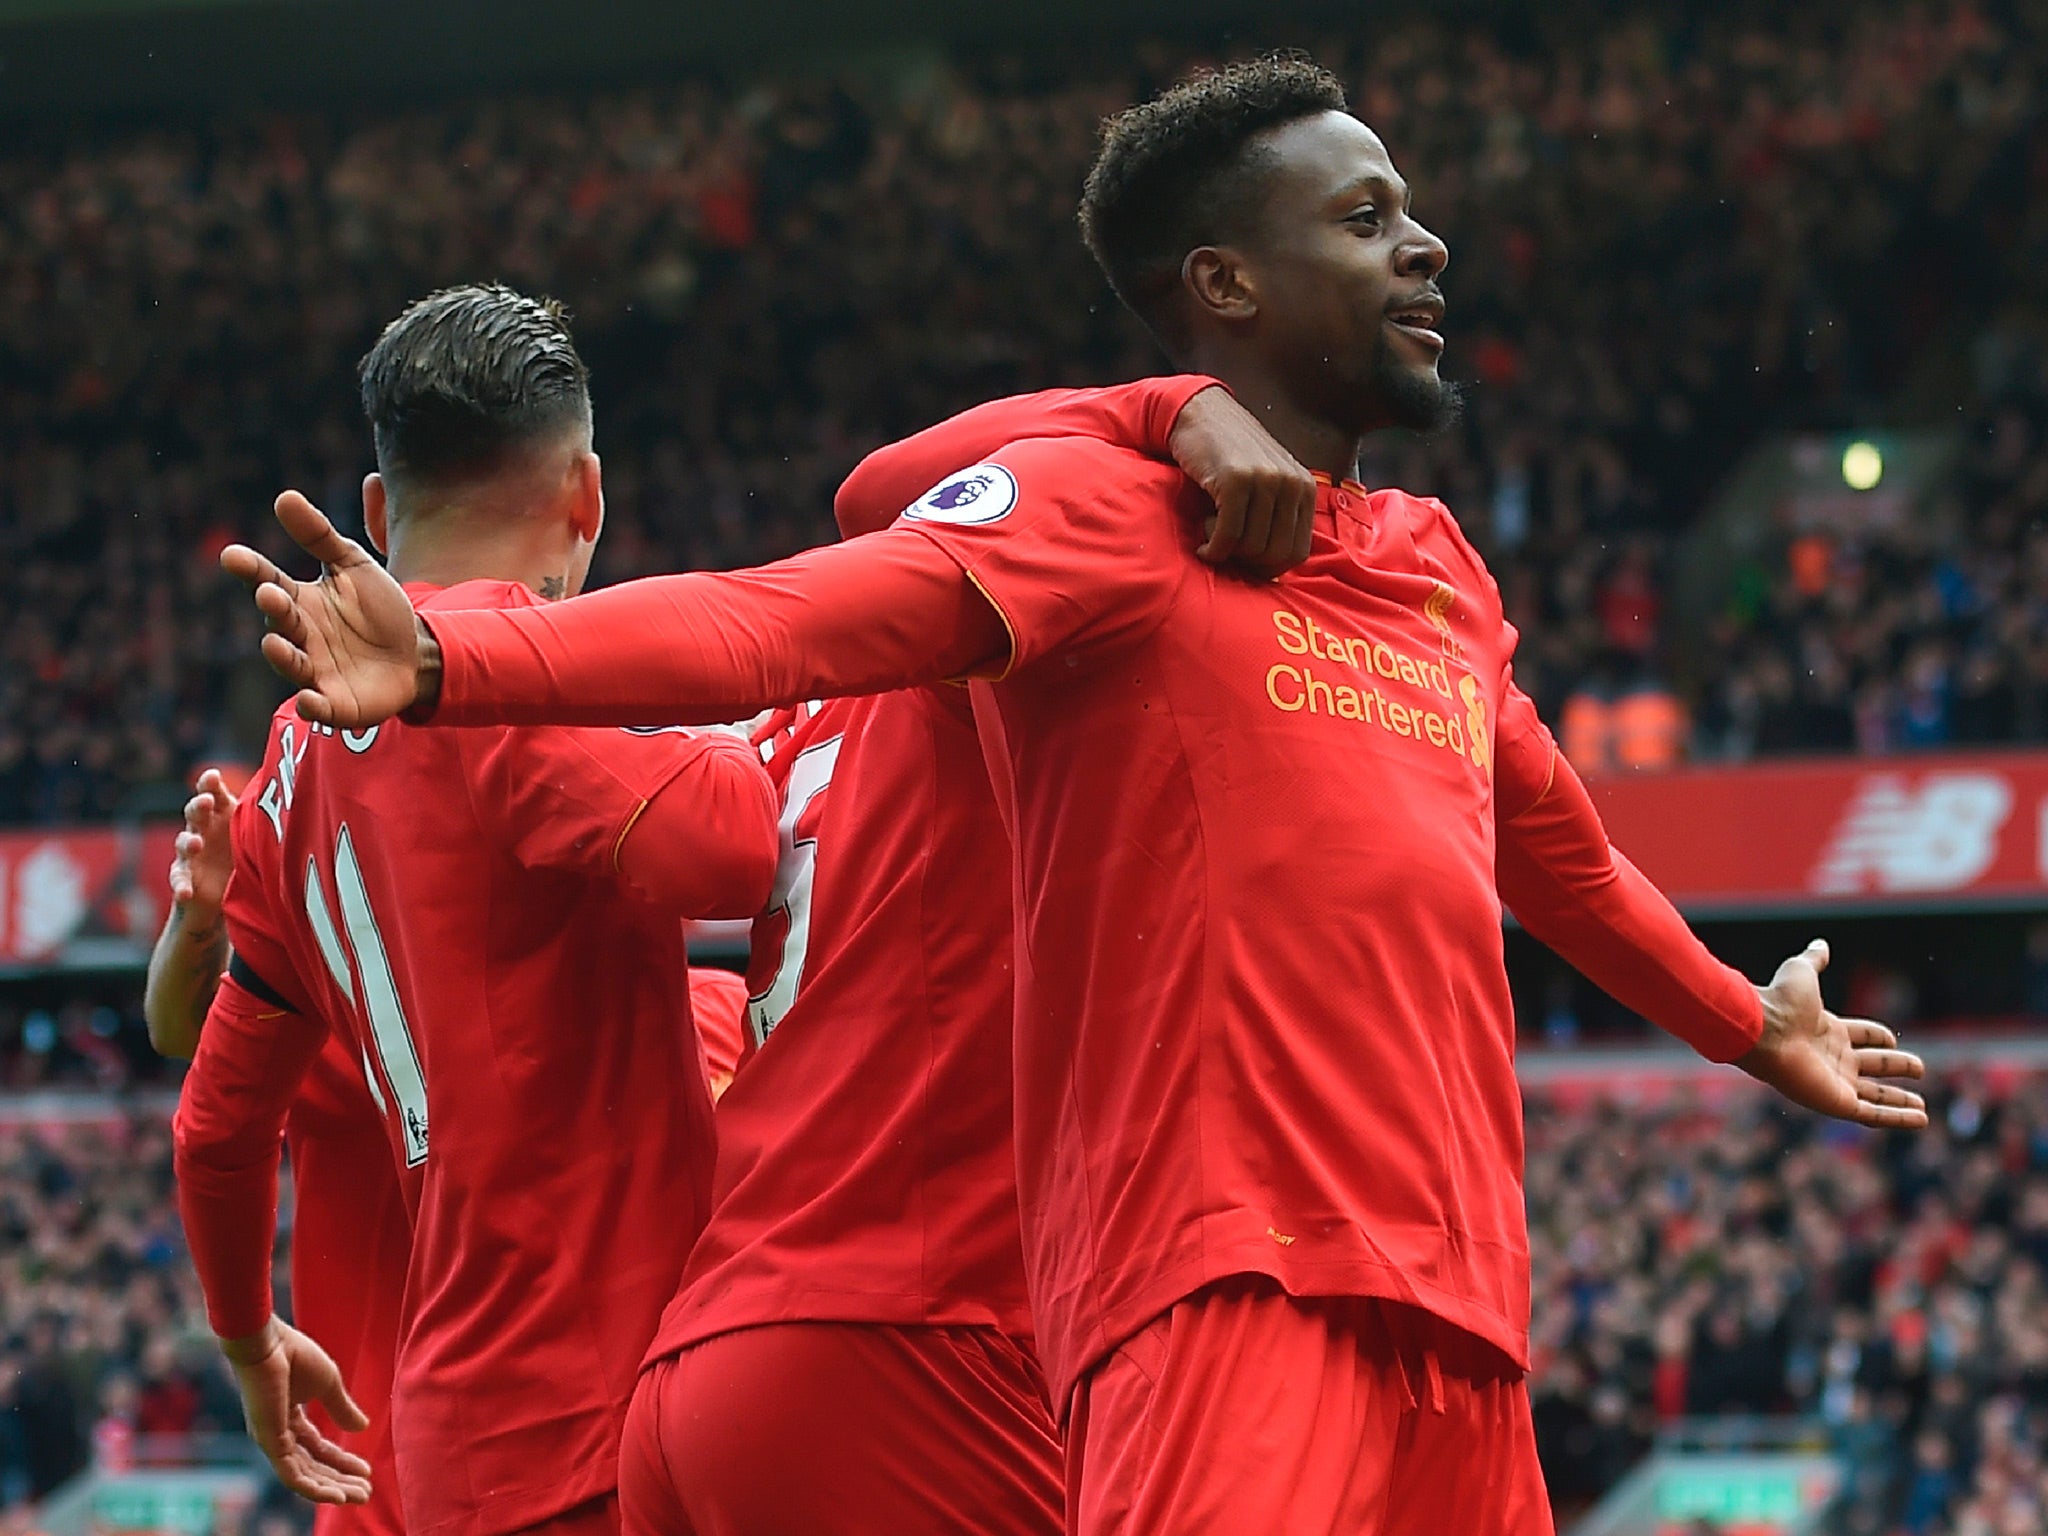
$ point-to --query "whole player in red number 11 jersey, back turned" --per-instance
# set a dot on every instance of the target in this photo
(493, 923)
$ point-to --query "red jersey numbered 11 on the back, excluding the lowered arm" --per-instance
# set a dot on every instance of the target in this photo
(450, 900)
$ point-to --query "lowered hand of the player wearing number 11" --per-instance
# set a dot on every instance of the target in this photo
(280, 1371)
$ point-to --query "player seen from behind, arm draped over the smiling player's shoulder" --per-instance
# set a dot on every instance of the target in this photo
(853, 1334)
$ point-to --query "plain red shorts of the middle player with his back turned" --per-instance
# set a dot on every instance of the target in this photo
(843, 1428)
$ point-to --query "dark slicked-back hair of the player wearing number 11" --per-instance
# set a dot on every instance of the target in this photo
(468, 378)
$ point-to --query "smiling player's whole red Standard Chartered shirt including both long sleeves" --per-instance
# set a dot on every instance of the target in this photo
(1261, 990)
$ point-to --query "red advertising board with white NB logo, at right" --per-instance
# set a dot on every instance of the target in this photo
(1873, 833)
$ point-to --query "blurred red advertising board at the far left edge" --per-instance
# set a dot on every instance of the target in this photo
(69, 894)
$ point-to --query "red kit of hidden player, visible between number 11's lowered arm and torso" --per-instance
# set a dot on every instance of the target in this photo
(351, 1244)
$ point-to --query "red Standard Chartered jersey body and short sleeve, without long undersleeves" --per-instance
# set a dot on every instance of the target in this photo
(1263, 1019)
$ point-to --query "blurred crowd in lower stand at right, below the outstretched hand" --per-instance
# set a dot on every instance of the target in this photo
(1752, 1261)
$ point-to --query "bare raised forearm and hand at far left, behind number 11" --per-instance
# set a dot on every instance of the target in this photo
(185, 968)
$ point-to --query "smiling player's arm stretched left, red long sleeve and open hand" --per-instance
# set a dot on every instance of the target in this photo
(871, 615)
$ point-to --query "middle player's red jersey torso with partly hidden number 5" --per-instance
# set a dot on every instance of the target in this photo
(865, 1156)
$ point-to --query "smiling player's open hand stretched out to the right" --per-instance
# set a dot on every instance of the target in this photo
(1832, 1064)
